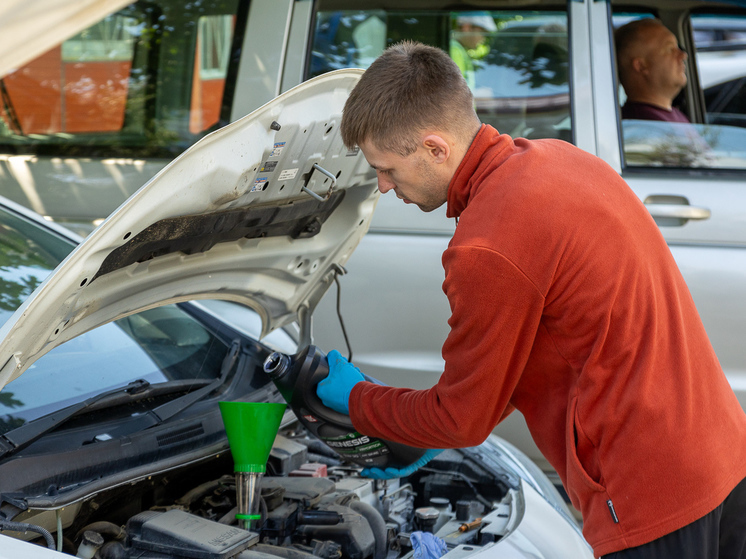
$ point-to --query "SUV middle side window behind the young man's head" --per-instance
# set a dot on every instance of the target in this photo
(516, 62)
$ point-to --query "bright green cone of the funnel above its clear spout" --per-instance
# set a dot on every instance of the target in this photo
(251, 428)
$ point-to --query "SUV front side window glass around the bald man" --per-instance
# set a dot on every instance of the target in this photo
(719, 141)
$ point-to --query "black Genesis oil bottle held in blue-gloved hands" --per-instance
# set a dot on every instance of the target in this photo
(296, 378)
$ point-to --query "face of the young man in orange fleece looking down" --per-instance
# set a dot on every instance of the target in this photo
(415, 179)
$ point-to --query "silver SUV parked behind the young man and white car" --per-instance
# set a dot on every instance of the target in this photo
(86, 124)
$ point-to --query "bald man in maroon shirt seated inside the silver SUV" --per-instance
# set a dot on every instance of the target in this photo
(652, 70)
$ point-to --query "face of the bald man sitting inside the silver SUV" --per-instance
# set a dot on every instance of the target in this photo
(666, 62)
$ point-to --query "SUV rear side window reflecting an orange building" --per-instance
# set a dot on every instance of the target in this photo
(146, 81)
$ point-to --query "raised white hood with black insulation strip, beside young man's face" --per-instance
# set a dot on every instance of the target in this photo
(262, 212)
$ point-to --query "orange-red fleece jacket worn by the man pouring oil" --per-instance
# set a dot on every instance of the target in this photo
(568, 306)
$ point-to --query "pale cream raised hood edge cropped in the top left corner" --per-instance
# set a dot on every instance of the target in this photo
(32, 27)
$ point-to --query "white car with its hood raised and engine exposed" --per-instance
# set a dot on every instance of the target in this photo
(115, 352)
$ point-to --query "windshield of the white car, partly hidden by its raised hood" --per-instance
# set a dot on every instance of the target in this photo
(157, 345)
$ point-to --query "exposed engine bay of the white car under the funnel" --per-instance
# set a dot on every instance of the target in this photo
(312, 504)
